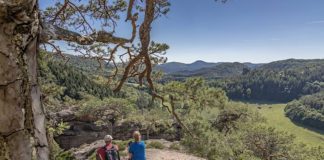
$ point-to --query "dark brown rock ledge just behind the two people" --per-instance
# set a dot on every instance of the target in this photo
(84, 130)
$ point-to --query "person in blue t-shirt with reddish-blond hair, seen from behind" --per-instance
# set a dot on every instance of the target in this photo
(136, 149)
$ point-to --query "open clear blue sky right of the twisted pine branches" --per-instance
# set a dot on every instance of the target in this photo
(242, 30)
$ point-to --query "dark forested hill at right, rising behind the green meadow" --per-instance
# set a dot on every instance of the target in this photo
(280, 81)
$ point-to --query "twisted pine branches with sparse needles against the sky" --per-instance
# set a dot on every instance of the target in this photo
(90, 28)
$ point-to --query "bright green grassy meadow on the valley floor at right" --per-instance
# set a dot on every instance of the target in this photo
(275, 116)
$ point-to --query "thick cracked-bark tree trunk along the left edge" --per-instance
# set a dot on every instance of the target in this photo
(22, 120)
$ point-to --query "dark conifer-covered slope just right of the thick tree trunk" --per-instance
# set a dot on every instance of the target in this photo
(72, 78)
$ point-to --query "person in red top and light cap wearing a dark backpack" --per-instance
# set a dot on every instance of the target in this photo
(109, 151)
